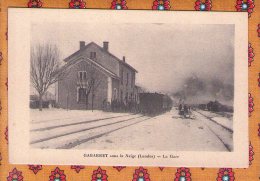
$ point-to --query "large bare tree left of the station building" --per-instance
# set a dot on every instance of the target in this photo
(45, 68)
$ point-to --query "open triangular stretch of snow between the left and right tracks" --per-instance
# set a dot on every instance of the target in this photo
(164, 132)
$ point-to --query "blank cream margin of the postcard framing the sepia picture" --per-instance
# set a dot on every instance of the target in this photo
(19, 22)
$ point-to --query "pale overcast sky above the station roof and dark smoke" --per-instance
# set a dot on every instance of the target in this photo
(164, 54)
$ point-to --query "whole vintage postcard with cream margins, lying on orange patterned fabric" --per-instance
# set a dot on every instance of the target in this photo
(103, 87)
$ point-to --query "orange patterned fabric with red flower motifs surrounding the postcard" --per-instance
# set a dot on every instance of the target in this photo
(34, 172)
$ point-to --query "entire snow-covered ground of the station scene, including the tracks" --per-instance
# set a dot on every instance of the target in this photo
(103, 130)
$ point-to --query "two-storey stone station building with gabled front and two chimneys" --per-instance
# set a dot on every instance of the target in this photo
(94, 77)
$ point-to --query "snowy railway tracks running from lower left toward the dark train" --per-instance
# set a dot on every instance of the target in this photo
(70, 135)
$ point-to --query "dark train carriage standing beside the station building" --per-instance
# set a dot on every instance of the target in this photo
(154, 103)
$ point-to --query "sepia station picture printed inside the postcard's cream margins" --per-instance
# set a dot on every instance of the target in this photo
(157, 83)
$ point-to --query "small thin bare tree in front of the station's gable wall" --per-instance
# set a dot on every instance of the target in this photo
(90, 82)
